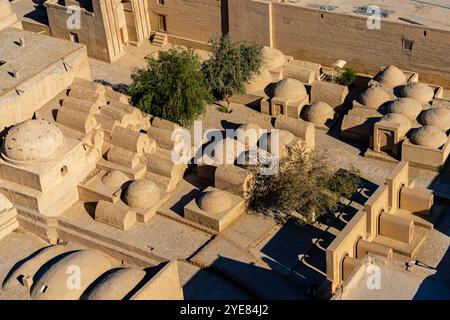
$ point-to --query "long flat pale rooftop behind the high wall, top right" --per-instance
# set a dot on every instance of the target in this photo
(427, 13)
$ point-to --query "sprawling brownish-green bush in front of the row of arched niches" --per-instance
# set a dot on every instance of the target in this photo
(305, 188)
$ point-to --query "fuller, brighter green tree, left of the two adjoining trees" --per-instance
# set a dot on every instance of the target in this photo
(171, 87)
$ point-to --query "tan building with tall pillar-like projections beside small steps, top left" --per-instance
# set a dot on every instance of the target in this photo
(104, 26)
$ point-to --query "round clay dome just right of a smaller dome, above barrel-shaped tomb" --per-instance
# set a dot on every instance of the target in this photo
(142, 193)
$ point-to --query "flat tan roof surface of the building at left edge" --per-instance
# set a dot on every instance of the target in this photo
(38, 53)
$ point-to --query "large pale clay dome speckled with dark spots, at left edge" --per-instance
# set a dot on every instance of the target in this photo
(33, 140)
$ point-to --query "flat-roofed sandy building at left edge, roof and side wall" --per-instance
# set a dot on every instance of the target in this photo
(31, 74)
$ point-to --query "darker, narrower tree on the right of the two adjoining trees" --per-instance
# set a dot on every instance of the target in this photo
(231, 65)
